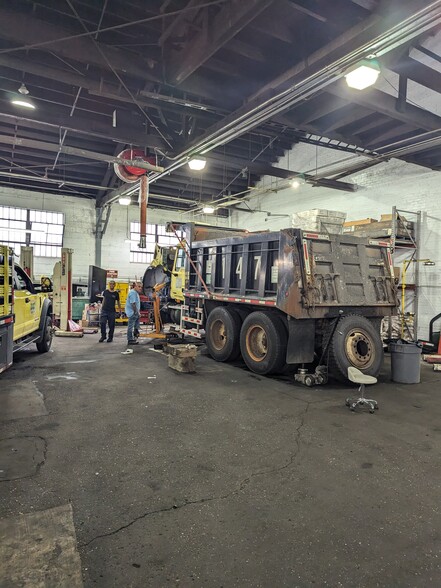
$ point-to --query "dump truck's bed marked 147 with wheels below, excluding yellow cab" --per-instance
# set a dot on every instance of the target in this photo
(291, 299)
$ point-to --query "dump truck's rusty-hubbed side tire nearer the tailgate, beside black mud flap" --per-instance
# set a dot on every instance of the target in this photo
(263, 341)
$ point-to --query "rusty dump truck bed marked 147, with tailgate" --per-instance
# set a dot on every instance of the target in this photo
(304, 274)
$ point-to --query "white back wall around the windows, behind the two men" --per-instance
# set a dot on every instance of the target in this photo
(80, 226)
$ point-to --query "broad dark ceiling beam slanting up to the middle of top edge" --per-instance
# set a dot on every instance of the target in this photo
(231, 19)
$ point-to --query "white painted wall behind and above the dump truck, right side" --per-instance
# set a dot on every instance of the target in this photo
(406, 186)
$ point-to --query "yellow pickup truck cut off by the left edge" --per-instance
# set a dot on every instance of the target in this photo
(25, 310)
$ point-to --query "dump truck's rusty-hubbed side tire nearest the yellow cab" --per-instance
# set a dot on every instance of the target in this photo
(222, 334)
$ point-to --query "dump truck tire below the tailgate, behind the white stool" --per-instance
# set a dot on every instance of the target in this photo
(355, 343)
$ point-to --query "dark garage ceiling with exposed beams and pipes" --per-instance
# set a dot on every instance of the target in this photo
(239, 81)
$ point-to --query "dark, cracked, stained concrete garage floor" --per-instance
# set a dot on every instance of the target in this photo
(223, 478)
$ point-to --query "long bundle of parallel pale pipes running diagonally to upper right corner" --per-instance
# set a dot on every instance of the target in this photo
(402, 32)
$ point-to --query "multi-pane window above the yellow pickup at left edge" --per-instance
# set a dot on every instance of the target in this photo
(40, 229)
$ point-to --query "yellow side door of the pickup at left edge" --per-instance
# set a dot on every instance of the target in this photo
(26, 305)
